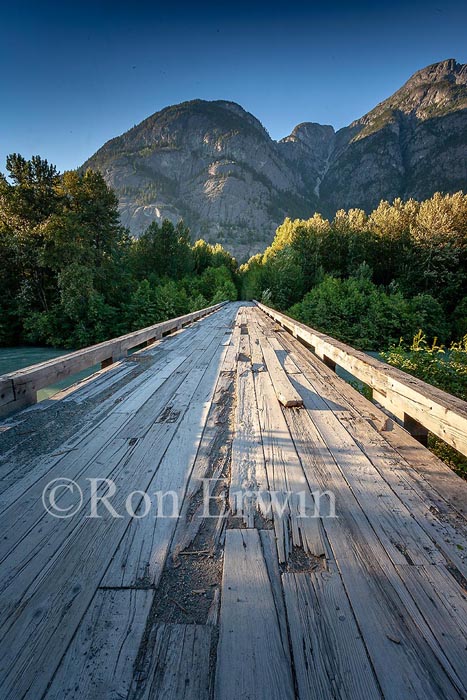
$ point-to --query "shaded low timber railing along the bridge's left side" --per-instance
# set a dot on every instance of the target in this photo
(19, 389)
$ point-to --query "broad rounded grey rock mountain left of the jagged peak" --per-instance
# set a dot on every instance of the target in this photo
(211, 163)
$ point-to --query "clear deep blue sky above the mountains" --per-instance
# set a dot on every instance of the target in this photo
(75, 74)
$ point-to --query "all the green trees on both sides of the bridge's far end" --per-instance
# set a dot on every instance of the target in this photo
(72, 275)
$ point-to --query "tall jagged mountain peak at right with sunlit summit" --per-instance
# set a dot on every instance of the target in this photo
(411, 145)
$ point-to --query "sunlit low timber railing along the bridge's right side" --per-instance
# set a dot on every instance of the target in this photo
(418, 405)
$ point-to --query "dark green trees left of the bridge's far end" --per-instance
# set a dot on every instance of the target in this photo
(71, 273)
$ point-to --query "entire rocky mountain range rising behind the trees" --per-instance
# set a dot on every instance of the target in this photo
(214, 164)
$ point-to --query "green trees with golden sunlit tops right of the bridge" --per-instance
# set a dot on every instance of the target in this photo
(370, 279)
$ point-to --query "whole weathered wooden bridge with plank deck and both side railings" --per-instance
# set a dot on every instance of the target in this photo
(255, 591)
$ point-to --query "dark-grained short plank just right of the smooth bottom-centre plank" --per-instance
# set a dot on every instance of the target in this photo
(330, 658)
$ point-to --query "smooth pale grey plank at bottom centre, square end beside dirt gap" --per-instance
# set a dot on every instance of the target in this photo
(251, 659)
